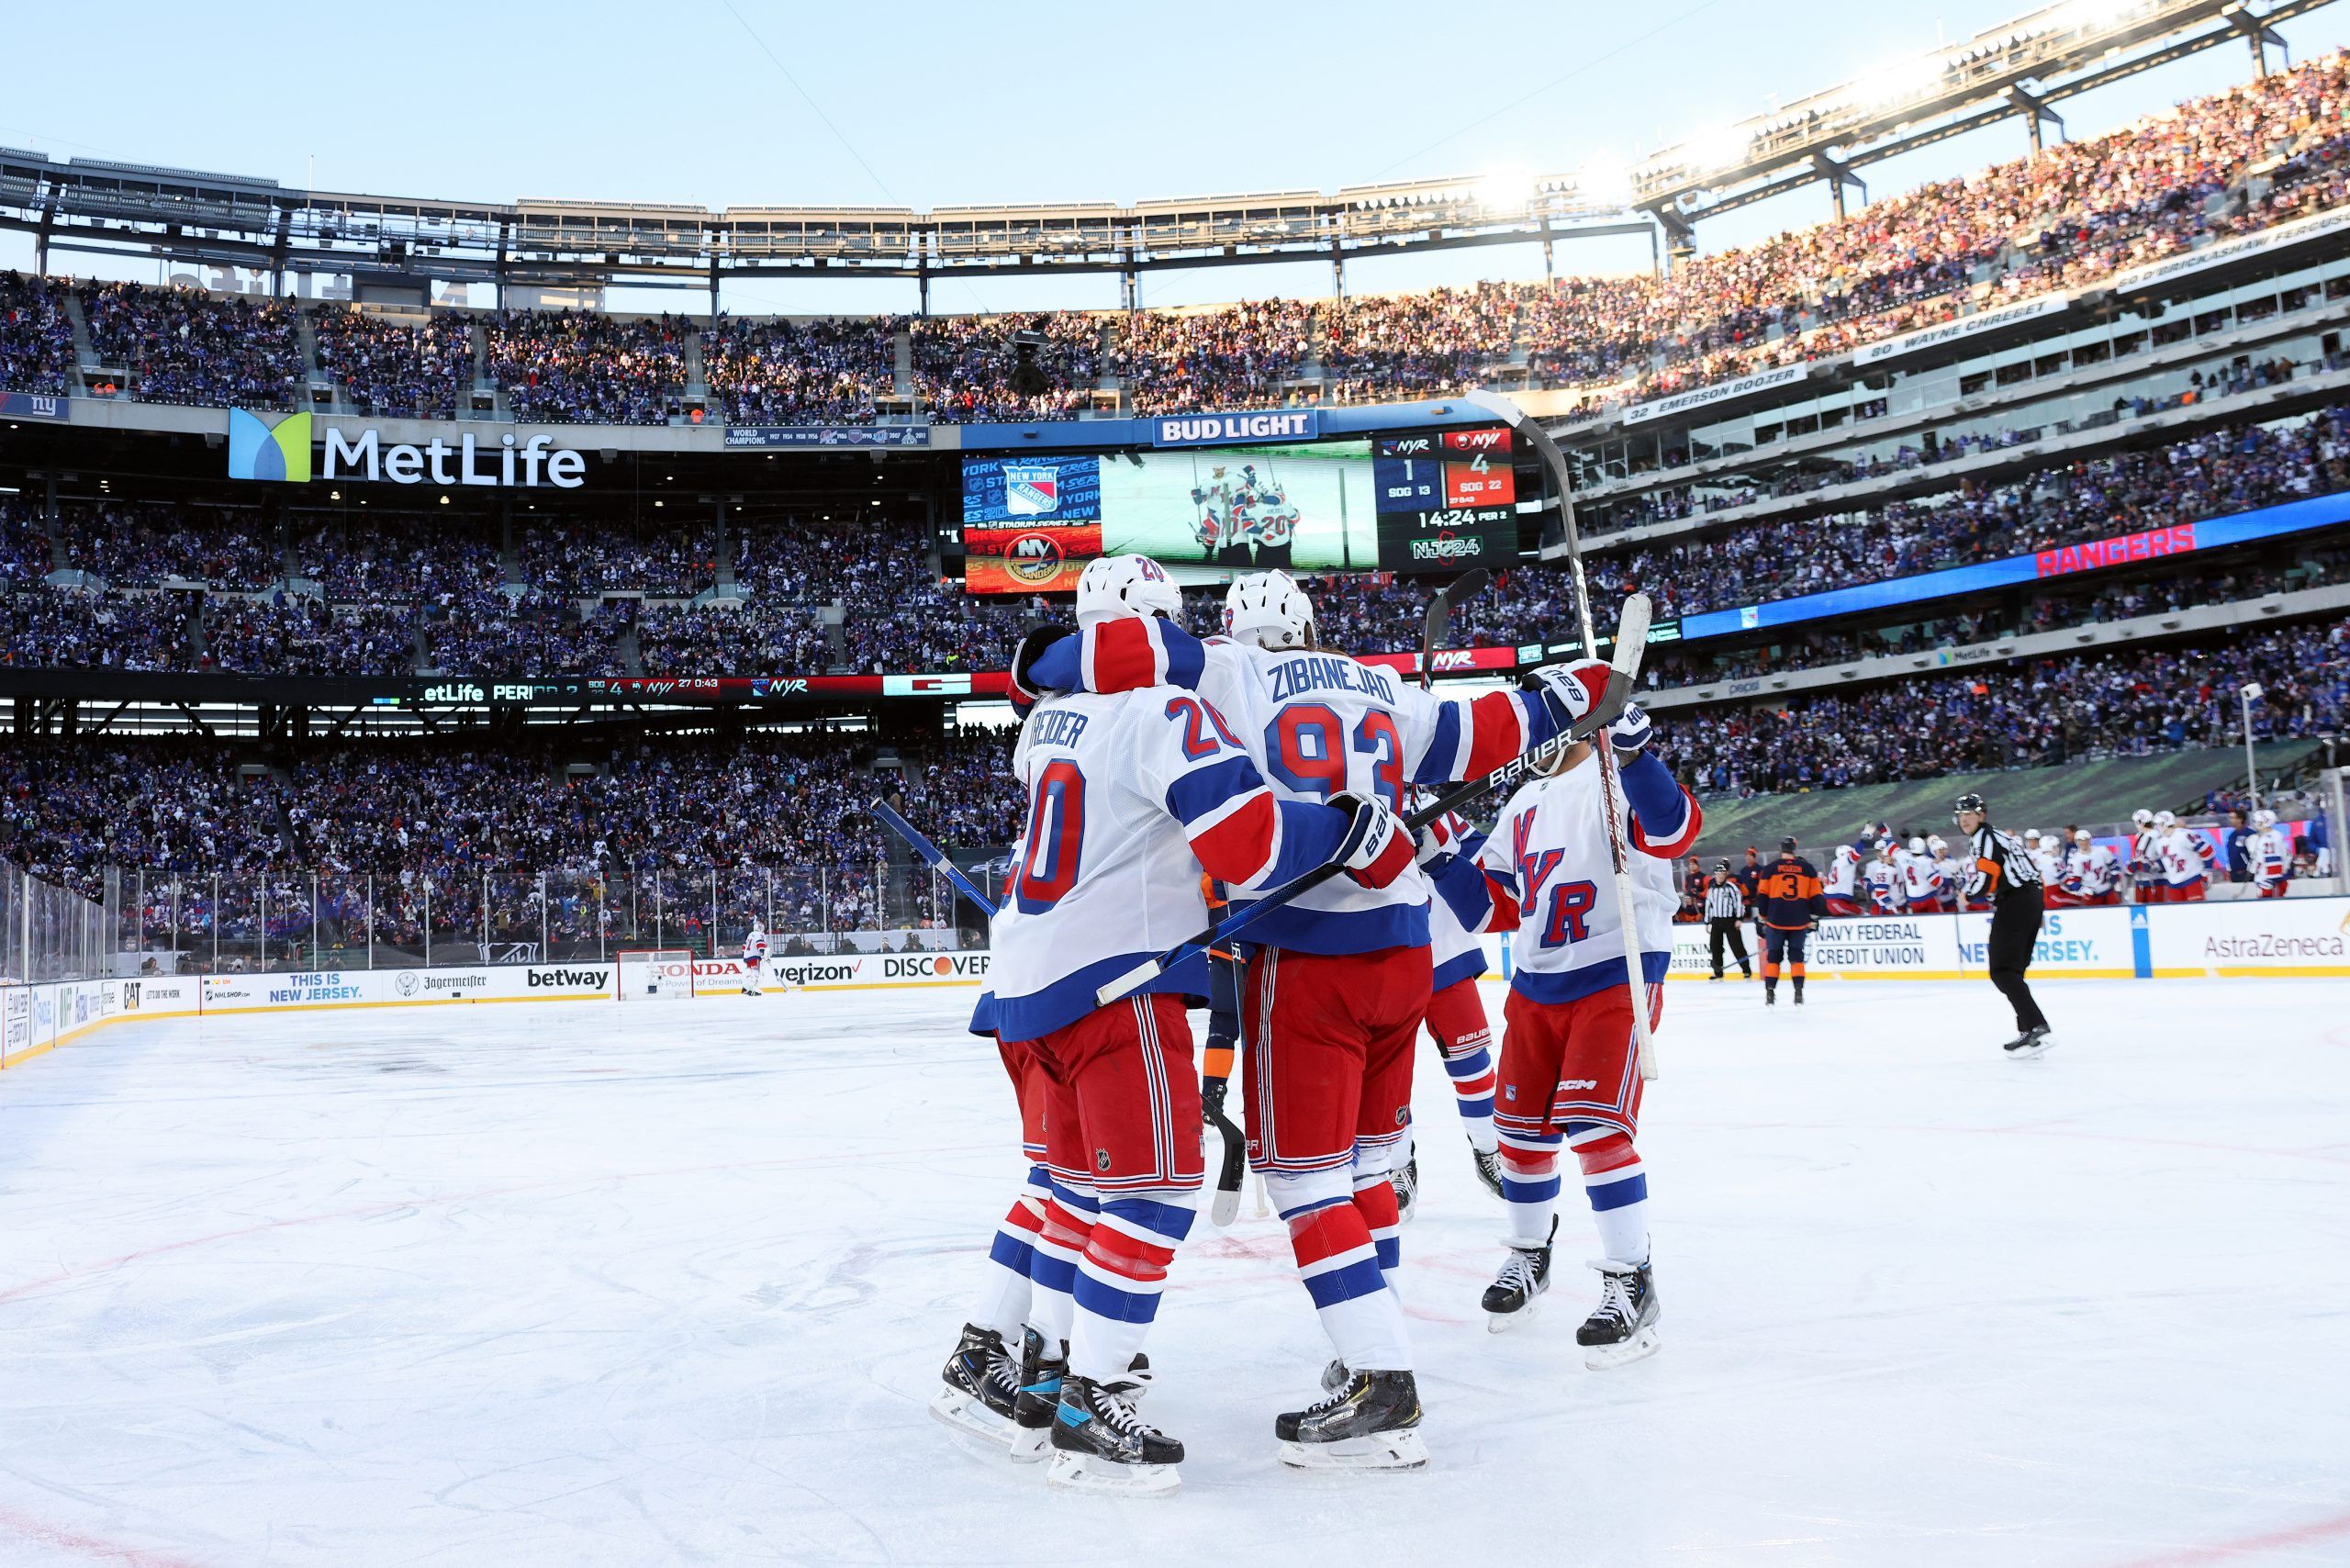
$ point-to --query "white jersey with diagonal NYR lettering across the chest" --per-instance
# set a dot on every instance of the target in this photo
(1545, 873)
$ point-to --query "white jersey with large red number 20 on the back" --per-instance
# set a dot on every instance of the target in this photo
(1132, 796)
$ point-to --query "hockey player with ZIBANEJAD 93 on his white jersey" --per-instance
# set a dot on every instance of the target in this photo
(1343, 981)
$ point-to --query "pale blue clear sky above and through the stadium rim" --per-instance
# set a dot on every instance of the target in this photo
(922, 105)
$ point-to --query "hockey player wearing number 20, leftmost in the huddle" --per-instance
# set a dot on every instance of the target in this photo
(1129, 786)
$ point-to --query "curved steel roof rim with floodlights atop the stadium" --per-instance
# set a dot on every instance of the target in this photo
(2020, 69)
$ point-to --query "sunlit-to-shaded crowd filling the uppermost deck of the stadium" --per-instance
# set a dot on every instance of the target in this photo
(2081, 210)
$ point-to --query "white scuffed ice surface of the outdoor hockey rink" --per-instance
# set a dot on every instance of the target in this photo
(671, 1285)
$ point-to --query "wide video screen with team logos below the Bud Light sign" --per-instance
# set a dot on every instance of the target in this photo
(1437, 502)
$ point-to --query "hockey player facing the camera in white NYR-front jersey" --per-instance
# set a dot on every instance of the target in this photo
(1571, 1068)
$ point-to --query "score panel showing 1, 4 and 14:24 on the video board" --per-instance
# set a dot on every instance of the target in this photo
(1446, 500)
